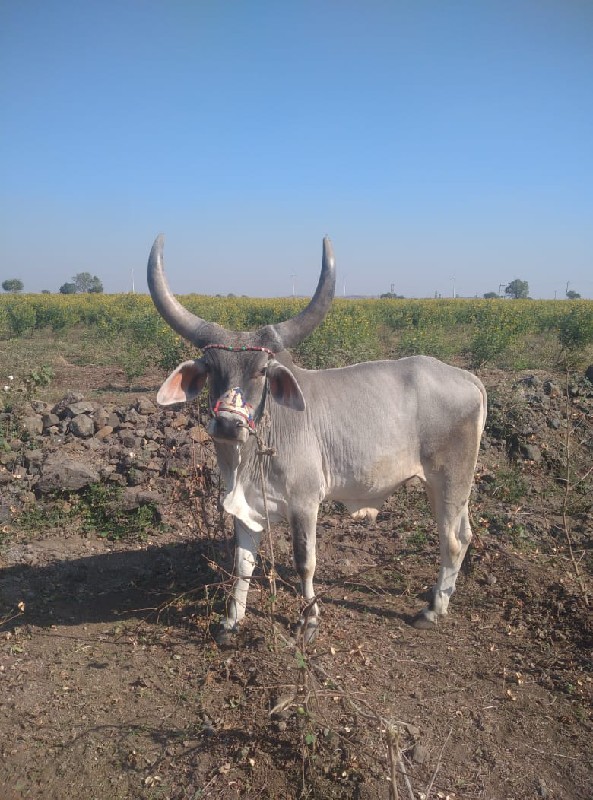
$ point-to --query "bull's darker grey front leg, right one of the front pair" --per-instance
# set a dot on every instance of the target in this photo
(303, 525)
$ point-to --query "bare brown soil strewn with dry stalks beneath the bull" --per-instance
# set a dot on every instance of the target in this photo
(112, 685)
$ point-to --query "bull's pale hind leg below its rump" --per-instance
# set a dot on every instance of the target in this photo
(452, 516)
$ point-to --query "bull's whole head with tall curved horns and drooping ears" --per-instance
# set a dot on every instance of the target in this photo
(240, 367)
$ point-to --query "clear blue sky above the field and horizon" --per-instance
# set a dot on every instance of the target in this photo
(440, 143)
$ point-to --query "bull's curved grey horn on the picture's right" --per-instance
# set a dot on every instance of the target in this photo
(292, 331)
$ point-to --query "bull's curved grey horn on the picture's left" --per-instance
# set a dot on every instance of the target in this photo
(186, 324)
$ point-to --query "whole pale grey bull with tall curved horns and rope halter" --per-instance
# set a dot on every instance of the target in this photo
(351, 434)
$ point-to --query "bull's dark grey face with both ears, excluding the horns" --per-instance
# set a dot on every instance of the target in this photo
(238, 381)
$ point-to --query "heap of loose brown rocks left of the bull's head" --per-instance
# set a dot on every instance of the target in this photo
(75, 444)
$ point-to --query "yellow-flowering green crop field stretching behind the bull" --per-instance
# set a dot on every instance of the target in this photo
(503, 333)
